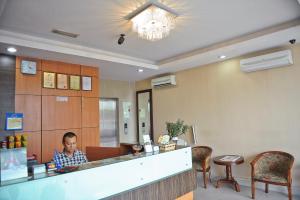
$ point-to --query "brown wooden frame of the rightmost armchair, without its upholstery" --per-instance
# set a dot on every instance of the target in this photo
(289, 177)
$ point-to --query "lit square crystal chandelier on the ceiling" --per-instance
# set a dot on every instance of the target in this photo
(153, 23)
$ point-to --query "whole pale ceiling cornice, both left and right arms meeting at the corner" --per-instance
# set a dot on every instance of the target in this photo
(266, 38)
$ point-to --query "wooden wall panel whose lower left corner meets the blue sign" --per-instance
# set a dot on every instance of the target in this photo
(30, 106)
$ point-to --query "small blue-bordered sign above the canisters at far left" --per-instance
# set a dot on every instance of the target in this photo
(14, 121)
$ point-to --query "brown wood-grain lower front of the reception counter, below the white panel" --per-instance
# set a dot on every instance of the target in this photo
(170, 188)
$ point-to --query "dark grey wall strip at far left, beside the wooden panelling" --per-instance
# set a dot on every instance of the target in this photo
(7, 90)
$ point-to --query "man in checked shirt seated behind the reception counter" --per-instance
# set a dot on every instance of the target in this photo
(70, 156)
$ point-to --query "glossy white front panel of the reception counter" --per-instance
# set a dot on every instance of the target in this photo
(102, 181)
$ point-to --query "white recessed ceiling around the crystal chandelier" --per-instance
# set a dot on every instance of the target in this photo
(204, 30)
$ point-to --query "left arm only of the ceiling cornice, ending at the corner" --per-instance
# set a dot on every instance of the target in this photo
(19, 39)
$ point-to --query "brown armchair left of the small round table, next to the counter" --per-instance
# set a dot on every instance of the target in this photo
(201, 156)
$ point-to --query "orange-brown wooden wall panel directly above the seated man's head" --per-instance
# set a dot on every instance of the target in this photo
(61, 114)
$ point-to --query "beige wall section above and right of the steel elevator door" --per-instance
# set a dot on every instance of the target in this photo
(125, 92)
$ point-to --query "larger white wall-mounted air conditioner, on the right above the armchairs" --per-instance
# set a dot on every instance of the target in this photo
(267, 61)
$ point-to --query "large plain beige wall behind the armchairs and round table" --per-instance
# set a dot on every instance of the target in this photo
(236, 112)
